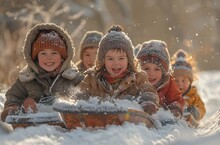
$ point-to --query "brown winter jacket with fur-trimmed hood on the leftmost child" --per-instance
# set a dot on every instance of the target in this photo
(29, 84)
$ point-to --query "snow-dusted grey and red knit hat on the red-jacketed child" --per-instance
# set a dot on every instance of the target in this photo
(155, 51)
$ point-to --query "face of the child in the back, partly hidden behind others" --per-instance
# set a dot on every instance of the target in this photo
(89, 57)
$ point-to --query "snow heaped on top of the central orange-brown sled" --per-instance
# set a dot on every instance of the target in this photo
(95, 105)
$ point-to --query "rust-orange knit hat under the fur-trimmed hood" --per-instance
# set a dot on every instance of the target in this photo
(48, 40)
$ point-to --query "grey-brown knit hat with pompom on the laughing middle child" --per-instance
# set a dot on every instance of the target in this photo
(115, 39)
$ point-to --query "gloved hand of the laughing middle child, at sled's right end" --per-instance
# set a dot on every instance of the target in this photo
(149, 107)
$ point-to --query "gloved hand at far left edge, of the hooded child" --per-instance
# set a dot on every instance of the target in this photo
(10, 110)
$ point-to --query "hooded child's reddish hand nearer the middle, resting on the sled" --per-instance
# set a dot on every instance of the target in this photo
(29, 105)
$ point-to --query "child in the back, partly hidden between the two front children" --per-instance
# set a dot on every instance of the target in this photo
(88, 50)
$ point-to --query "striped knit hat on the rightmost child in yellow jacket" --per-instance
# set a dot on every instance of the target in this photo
(181, 65)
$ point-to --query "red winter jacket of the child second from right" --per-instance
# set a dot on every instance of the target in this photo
(170, 95)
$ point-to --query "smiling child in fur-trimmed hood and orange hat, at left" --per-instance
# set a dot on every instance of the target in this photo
(48, 50)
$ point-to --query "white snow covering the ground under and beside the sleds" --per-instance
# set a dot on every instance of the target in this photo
(128, 133)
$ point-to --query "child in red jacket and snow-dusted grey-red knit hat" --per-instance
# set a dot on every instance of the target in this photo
(155, 61)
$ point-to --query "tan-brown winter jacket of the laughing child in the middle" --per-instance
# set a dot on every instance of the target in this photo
(134, 84)
